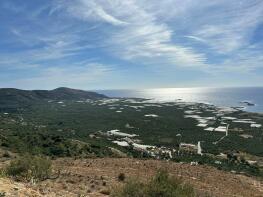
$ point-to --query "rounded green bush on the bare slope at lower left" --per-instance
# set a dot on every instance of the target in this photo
(29, 168)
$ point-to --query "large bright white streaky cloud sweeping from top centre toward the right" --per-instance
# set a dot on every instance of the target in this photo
(143, 37)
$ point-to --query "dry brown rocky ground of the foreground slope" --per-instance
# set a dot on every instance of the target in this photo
(96, 177)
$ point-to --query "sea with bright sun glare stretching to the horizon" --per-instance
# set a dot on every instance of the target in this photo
(222, 97)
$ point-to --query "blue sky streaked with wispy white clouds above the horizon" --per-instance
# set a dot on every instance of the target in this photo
(131, 44)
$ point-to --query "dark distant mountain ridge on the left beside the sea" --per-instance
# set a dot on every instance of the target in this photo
(11, 98)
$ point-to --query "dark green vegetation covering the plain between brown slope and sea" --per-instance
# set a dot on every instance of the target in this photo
(78, 129)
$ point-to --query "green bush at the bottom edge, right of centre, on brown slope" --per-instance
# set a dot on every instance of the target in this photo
(161, 185)
